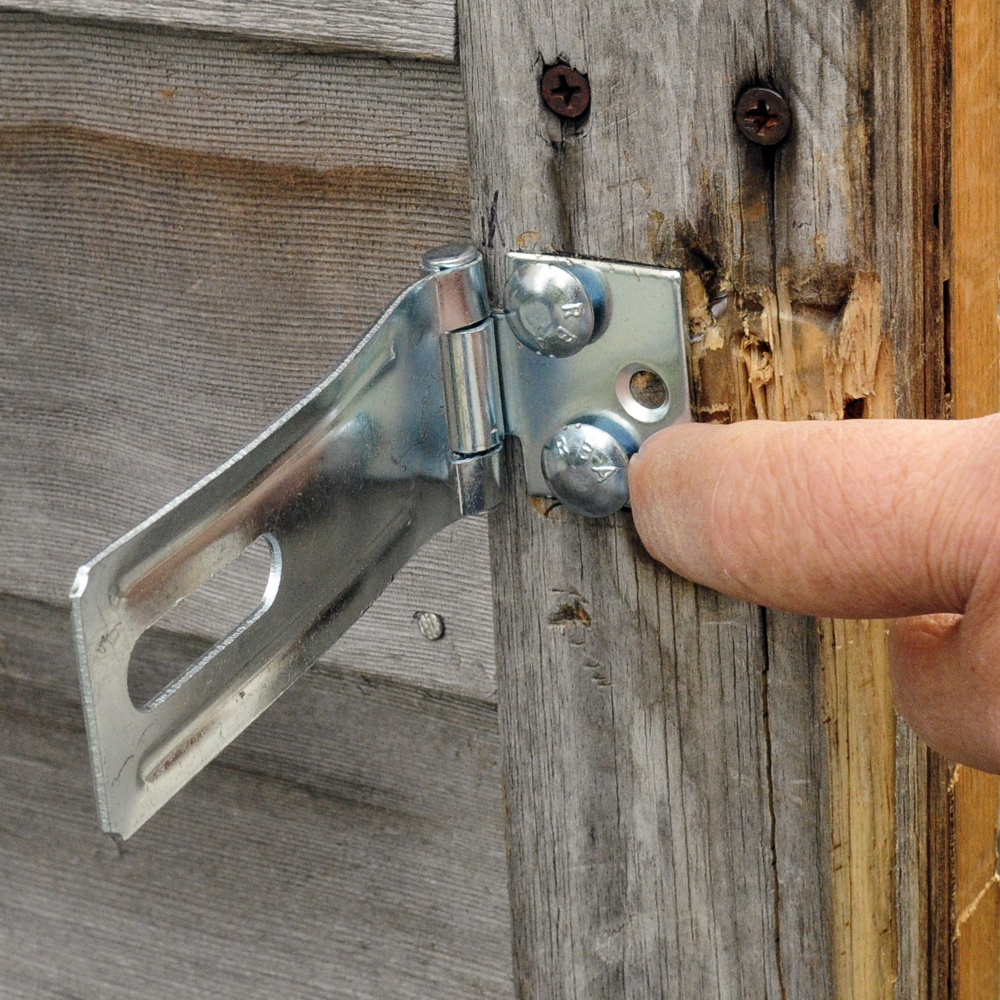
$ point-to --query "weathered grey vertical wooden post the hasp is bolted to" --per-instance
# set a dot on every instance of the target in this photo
(806, 254)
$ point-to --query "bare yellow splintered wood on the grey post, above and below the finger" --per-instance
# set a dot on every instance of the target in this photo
(785, 359)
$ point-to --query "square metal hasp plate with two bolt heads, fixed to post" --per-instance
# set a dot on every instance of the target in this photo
(593, 361)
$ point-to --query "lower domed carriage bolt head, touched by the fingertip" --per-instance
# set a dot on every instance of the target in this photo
(586, 469)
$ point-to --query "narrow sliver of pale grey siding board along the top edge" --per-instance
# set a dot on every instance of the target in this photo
(414, 28)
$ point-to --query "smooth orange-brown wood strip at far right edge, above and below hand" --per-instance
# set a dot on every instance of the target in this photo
(974, 798)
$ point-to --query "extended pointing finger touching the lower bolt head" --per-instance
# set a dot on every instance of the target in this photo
(861, 518)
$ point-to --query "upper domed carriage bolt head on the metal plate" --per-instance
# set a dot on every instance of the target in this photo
(549, 310)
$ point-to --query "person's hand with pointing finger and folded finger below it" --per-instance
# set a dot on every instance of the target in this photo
(855, 519)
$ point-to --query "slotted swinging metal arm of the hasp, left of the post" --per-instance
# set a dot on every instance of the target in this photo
(346, 487)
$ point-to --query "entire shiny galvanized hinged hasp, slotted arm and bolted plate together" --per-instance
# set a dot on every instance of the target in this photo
(585, 361)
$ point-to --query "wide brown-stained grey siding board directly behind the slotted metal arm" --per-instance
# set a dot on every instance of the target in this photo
(191, 235)
